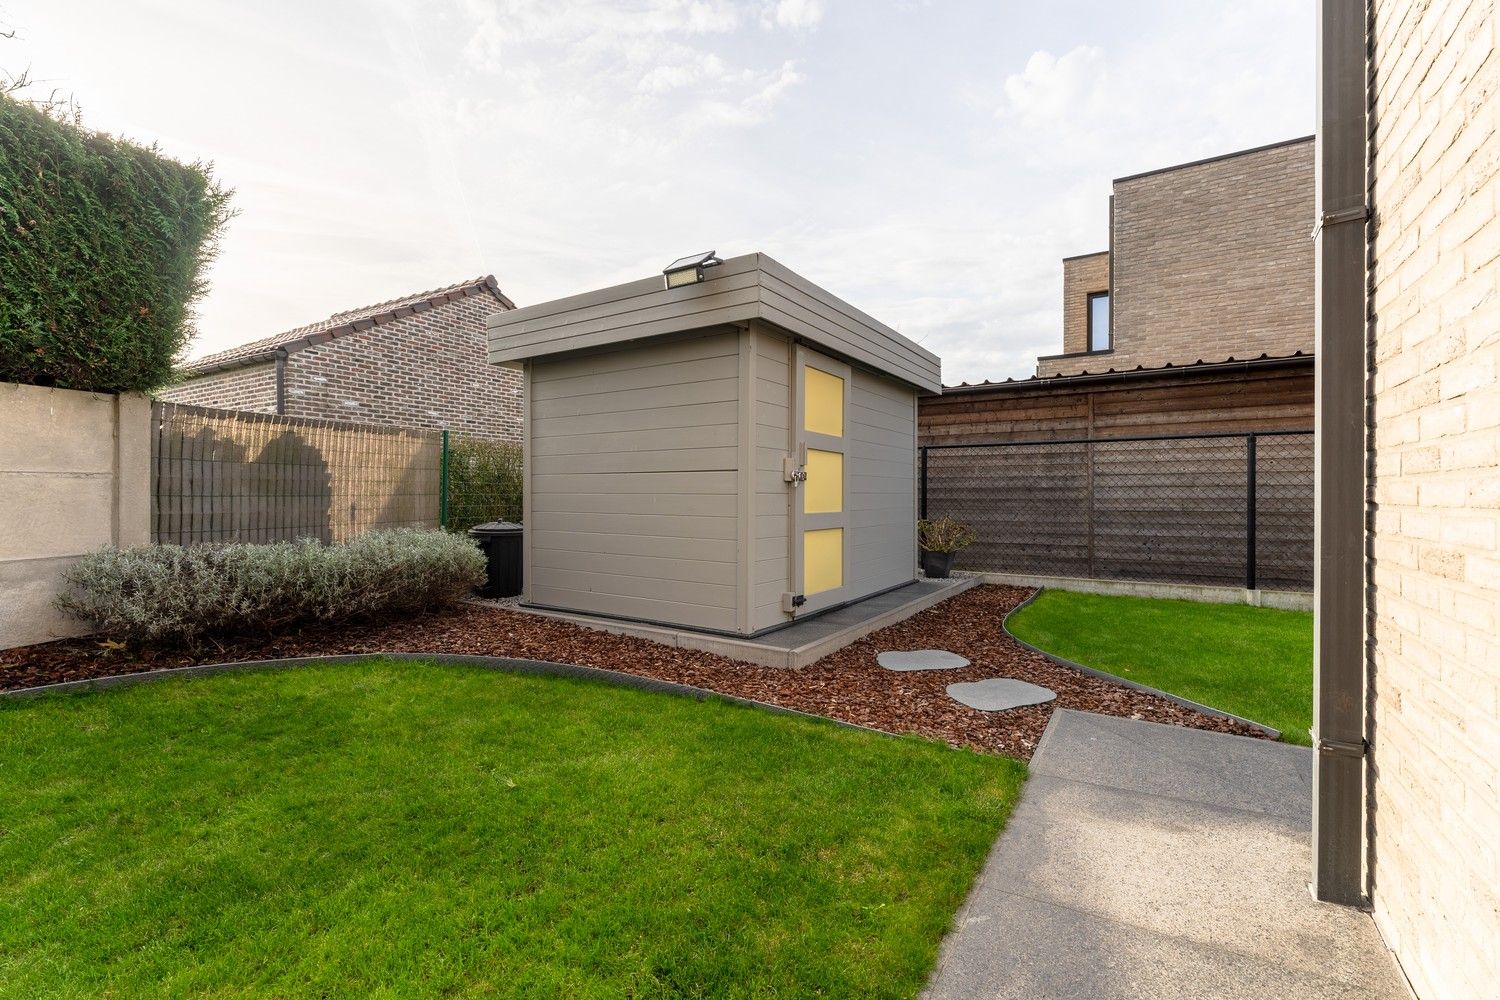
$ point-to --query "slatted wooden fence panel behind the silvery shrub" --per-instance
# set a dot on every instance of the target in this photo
(227, 476)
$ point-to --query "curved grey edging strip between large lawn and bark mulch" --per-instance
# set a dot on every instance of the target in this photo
(506, 665)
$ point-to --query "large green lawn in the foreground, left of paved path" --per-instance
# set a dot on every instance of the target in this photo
(400, 830)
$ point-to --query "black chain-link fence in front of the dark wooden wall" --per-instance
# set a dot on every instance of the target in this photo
(1231, 510)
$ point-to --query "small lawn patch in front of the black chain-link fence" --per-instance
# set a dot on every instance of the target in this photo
(1252, 662)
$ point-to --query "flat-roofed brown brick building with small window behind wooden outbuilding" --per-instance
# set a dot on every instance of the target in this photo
(1208, 262)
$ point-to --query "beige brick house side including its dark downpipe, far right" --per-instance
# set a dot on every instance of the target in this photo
(1408, 729)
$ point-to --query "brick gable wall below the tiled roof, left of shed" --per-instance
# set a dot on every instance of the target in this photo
(428, 370)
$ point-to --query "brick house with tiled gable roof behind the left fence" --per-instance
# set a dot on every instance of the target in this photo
(413, 362)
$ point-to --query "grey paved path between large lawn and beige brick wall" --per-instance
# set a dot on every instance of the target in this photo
(1153, 861)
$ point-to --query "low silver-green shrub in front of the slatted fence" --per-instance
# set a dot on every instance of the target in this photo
(175, 594)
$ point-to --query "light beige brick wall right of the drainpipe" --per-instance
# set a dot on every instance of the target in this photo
(1436, 488)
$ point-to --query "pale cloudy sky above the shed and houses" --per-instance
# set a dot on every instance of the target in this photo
(929, 161)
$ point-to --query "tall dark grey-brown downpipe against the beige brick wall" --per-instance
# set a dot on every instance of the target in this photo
(1340, 506)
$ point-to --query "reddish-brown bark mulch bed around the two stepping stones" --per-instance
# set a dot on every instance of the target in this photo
(847, 684)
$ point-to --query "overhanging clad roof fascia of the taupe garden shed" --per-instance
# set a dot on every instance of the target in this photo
(742, 290)
